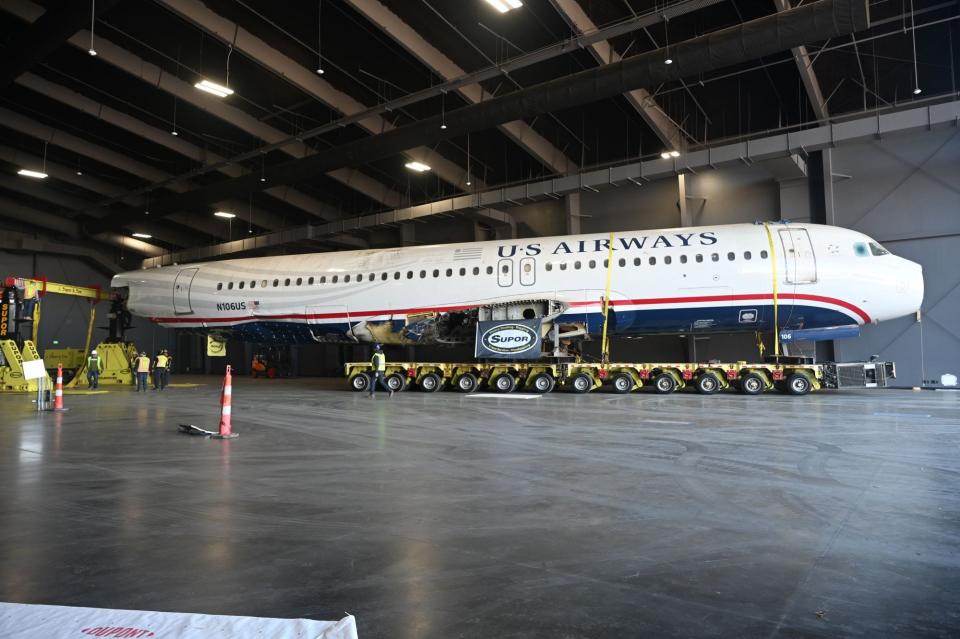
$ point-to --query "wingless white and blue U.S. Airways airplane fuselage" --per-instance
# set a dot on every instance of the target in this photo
(703, 279)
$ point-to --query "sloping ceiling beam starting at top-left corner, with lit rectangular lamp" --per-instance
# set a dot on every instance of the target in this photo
(115, 55)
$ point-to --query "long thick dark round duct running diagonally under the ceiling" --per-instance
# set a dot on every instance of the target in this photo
(814, 22)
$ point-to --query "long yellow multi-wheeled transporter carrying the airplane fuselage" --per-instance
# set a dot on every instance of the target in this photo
(542, 377)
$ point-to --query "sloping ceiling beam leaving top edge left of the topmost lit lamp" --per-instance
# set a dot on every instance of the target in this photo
(518, 131)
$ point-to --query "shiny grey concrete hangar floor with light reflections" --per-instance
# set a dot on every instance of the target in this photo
(451, 516)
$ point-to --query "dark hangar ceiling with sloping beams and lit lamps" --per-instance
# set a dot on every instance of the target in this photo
(126, 129)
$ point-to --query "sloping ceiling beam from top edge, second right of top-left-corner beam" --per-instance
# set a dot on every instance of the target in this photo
(306, 80)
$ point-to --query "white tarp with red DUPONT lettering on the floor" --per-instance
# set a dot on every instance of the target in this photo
(56, 622)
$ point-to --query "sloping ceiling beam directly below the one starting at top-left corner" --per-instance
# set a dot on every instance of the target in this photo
(175, 143)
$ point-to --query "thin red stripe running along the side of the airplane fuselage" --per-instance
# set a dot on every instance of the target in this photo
(441, 309)
